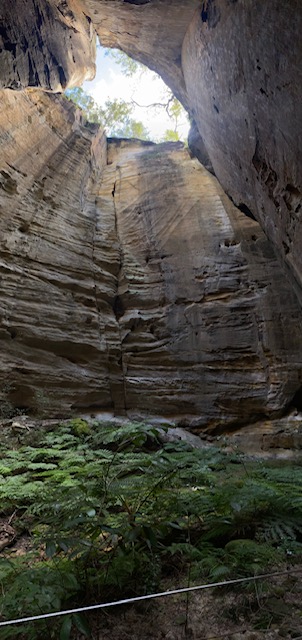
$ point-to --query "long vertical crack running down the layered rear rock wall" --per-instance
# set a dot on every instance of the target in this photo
(105, 267)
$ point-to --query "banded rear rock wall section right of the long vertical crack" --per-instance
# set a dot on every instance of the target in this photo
(202, 297)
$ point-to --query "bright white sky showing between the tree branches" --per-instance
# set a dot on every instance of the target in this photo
(144, 88)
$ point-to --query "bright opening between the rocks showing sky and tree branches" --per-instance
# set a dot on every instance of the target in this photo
(130, 101)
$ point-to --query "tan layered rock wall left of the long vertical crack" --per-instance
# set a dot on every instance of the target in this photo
(52, 343)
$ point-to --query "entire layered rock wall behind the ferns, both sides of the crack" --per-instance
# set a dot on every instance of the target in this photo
(130, 282)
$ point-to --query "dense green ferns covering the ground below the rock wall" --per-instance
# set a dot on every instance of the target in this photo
(112, 512)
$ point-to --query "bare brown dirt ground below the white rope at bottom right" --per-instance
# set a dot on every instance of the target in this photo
(264, 611)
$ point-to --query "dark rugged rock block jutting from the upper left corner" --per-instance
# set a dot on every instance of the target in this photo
(45, 43)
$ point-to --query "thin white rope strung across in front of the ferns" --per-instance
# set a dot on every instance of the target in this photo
(147, 597)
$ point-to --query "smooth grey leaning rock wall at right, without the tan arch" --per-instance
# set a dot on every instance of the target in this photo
(242, 63)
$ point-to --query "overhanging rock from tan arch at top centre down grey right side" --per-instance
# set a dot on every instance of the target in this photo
(237, 66)
